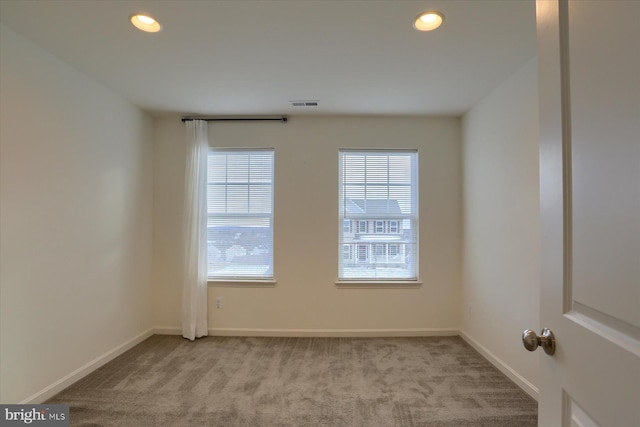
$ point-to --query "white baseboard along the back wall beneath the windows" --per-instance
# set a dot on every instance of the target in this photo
(248, 332)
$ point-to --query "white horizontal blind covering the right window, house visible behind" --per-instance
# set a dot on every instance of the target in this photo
(378, 197)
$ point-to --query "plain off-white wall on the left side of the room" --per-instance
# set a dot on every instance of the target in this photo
(75, 187)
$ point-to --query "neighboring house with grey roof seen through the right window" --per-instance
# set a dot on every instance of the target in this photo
(374, 233)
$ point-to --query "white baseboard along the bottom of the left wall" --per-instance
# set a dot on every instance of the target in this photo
(85, 370)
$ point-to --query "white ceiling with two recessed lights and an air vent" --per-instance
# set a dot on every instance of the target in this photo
(253, 57)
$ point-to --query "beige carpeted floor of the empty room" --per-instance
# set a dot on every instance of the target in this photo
(241, 381)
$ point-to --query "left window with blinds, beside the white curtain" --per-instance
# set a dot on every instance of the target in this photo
(240, 214)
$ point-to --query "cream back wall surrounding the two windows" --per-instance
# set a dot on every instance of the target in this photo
(305, 299)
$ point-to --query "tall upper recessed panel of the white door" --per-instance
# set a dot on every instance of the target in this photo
(605, 144)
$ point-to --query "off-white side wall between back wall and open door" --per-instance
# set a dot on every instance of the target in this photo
(500, 293)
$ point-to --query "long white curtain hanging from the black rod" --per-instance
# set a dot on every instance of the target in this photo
(194, 228)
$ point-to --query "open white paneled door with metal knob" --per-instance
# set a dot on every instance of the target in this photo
(589, 56)
